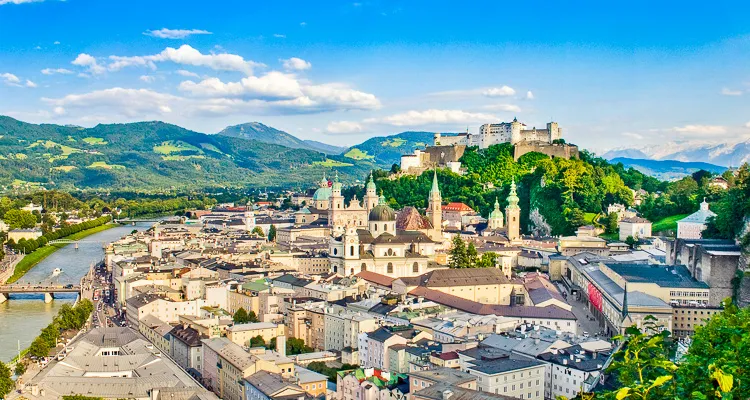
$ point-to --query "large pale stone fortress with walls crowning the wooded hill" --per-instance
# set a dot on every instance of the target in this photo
(447, 150)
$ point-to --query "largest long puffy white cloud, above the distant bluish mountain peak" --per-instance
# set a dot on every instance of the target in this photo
(285, 90)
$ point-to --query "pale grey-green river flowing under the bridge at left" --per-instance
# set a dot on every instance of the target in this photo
(22, 317)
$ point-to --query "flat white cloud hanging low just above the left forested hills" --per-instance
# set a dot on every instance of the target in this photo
(130, 103)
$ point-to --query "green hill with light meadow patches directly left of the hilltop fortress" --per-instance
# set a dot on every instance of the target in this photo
(387, 150)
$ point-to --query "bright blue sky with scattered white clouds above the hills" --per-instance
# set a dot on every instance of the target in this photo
(339, 72)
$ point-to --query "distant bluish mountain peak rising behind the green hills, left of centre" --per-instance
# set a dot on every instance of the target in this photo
(267, 134)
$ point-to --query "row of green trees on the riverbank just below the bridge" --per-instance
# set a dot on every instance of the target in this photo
(68, 318)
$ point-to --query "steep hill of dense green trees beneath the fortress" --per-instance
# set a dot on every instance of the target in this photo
(567, 193)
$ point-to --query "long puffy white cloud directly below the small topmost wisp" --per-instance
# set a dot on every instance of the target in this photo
(186, 55)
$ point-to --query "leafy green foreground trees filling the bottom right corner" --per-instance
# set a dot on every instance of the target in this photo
(715, 366)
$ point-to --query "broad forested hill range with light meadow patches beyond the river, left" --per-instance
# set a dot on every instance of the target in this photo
(153, 156)
